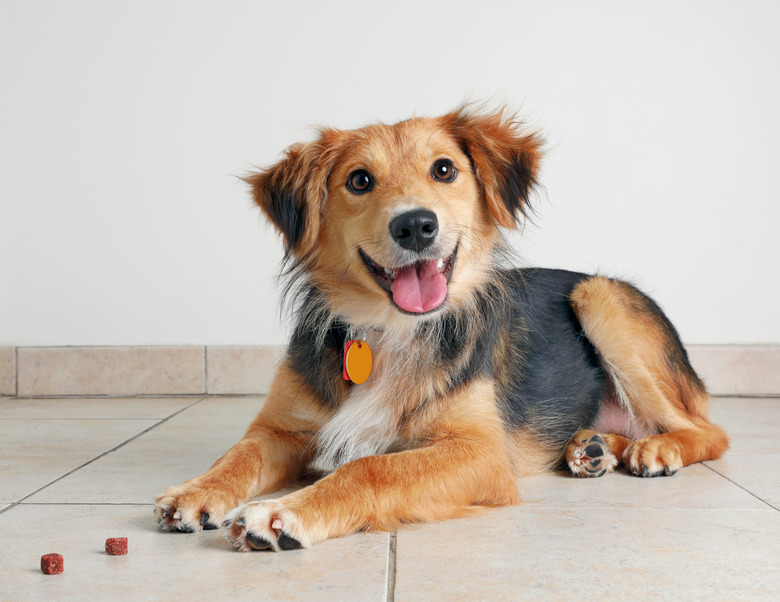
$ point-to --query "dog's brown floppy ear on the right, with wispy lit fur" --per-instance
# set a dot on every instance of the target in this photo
(505, 159)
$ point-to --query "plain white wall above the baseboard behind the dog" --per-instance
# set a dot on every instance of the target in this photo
(123, 126)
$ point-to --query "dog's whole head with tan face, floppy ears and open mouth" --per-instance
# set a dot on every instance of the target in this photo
(398, 221)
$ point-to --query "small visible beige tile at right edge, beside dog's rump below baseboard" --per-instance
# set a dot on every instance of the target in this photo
(753, 424)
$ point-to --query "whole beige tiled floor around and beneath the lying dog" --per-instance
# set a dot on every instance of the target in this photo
(76, 471)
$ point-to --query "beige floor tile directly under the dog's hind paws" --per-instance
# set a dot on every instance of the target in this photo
(693, 487)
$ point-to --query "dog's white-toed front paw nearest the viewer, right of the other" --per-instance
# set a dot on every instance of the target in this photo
(265, 525)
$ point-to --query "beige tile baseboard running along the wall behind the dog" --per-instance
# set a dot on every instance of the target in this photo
(235, 370)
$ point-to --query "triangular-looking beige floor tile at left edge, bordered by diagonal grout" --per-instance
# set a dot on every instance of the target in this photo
(35, 452)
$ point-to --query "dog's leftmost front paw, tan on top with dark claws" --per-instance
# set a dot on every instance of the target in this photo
(193, 506)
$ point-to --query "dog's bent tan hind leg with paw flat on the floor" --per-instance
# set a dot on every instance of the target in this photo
(652, 377)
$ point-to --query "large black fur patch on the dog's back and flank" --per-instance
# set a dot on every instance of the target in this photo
(522, 332)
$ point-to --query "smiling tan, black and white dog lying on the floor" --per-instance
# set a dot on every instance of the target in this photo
(481, 372)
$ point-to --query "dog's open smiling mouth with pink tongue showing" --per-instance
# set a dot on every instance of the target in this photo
(416, 288)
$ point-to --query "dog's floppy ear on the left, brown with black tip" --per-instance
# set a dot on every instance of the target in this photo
(293, 192)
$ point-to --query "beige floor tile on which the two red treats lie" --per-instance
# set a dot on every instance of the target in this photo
(173, 566)
